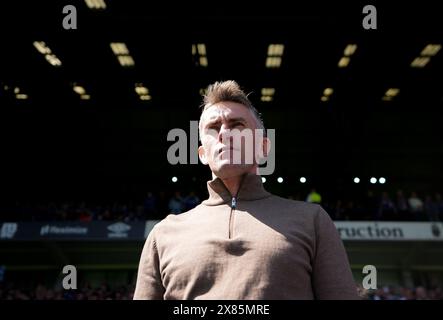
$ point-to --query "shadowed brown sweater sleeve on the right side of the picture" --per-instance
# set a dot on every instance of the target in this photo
(331, 276)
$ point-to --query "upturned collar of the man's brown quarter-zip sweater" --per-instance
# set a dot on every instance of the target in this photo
(251, 188)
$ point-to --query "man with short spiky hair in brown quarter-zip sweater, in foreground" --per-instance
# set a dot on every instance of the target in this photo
(242, 242)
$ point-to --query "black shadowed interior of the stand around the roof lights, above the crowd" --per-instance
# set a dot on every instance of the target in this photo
(114, 139)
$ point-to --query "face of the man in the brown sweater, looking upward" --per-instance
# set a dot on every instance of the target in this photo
(221, 126)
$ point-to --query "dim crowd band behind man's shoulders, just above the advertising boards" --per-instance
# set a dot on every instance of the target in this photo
(370, 206)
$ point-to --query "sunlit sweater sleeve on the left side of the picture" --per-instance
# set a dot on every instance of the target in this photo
(149, 285)
